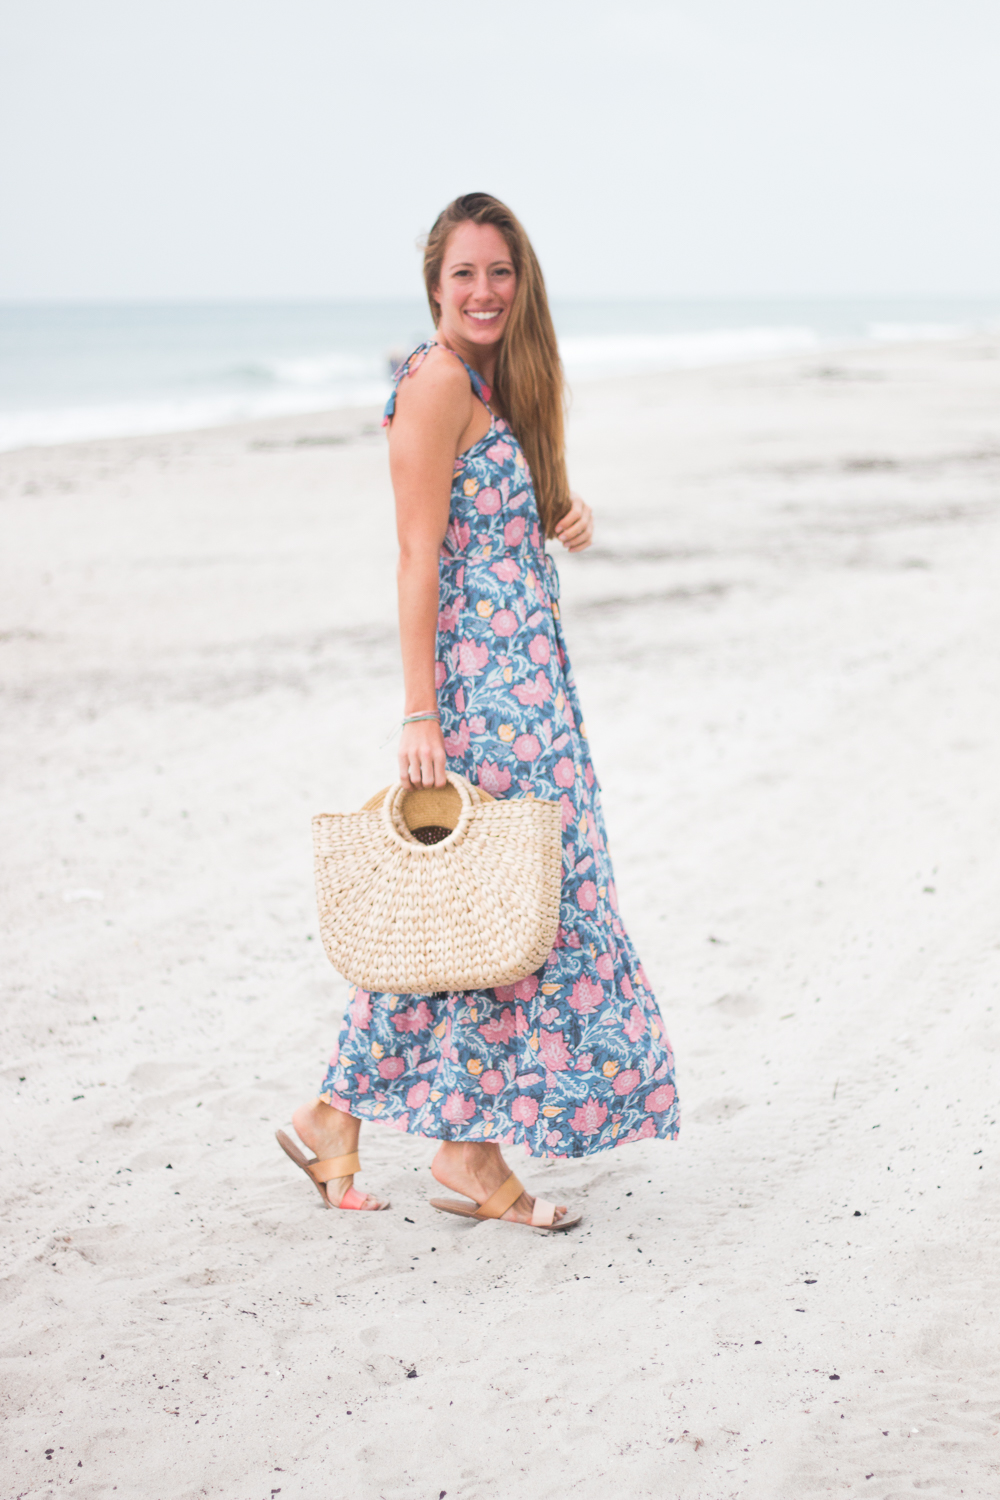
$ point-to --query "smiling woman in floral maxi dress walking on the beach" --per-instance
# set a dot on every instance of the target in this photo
(573, 1060)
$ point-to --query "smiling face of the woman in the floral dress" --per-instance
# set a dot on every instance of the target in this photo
(478, 286)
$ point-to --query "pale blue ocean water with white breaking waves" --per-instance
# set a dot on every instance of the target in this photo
(92, 371)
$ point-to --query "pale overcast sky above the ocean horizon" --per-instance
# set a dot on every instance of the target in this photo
(651, 148)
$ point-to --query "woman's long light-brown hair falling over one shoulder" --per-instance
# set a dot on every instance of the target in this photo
(528, 380)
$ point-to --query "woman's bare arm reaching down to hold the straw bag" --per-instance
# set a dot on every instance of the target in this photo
(433, 412)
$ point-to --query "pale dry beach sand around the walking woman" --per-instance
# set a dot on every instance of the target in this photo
(788, 647)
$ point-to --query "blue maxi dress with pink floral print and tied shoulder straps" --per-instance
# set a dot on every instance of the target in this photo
(572, 1060)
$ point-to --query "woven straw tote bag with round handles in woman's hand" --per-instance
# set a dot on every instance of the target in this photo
(445, 889)
